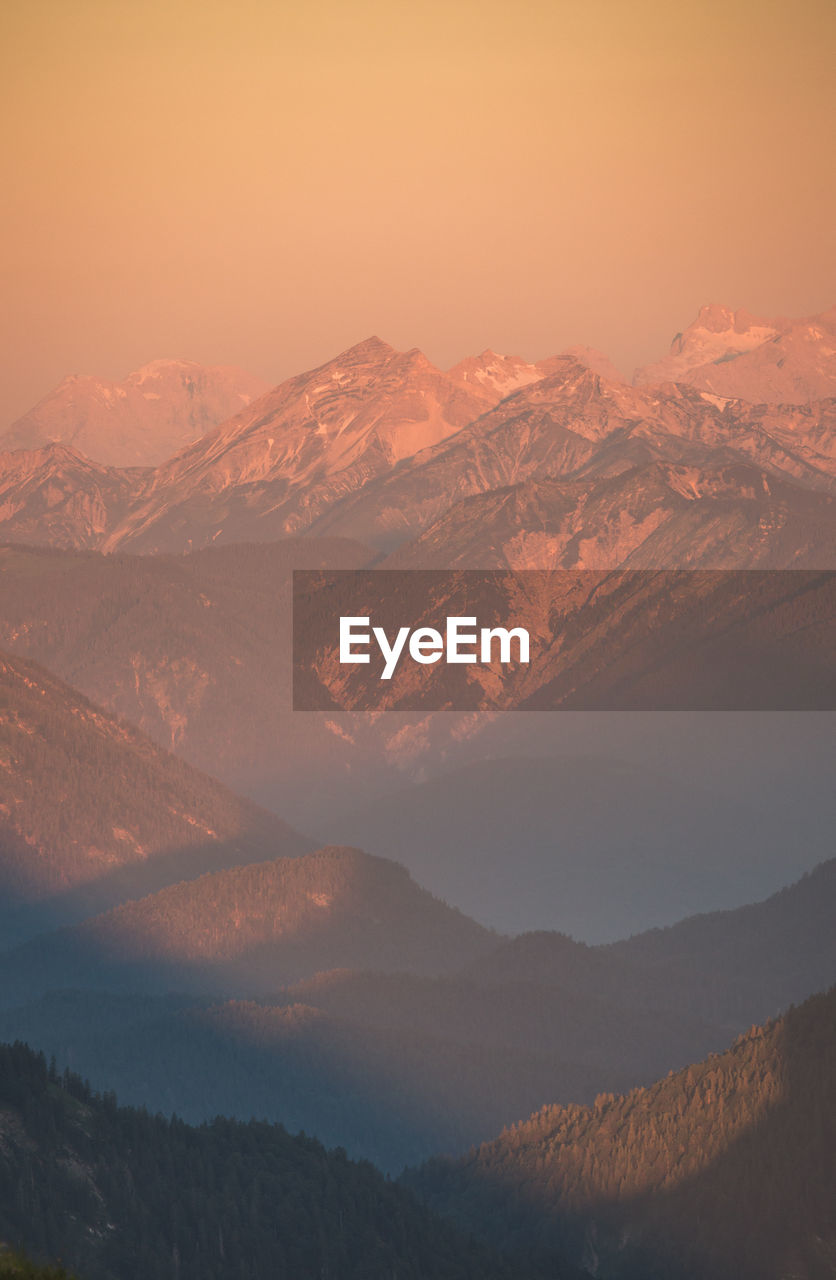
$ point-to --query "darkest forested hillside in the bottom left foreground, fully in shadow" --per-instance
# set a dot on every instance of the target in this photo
(120, 1194)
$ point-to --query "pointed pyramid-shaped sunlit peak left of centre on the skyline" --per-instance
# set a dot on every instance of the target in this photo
(304, 446)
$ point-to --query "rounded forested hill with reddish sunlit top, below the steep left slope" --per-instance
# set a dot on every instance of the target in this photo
(252, 930)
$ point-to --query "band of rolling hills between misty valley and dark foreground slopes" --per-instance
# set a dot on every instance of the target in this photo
(394, 1066)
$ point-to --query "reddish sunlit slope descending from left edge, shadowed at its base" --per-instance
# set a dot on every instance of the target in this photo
(92, 812)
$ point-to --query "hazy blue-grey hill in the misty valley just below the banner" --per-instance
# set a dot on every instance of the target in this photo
(599, 847)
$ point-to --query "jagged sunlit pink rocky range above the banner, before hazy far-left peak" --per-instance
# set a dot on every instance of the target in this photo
(381, 446)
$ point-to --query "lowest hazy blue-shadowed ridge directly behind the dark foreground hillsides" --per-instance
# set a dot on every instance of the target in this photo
(394, 1095)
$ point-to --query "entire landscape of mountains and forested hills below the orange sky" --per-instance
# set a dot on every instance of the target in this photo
(395, 964)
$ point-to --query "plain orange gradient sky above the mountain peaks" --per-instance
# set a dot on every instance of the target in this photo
(248, 182)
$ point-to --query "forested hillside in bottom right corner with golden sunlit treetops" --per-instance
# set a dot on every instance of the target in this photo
(723, 1171)
